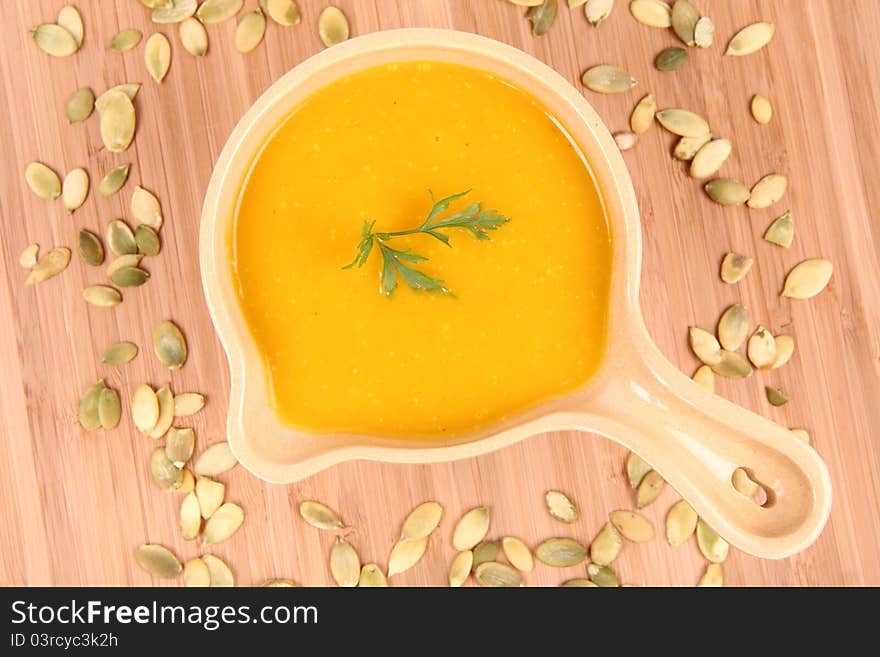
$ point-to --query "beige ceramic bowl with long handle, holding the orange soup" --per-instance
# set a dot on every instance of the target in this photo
(694, 439)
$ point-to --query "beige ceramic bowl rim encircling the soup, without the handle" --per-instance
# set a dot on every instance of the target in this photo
(250, 418)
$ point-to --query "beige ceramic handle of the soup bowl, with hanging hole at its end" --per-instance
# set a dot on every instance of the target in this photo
(696, 440)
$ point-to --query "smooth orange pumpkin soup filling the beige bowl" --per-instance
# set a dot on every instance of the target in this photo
(526, 314)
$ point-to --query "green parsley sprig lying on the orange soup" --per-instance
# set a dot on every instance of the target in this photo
(398, 263)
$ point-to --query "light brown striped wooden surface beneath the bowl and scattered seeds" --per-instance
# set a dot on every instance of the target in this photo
(76, 504)
